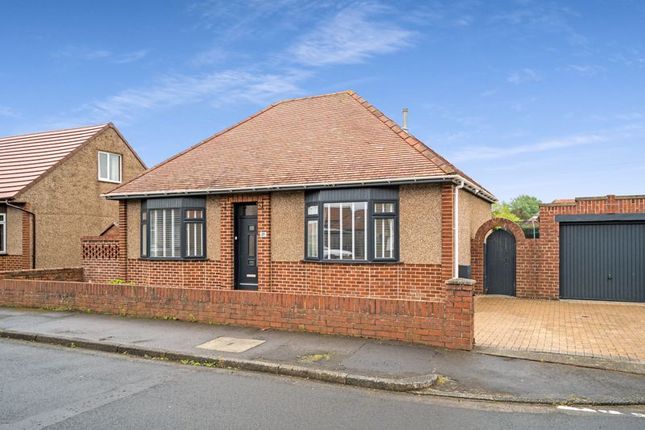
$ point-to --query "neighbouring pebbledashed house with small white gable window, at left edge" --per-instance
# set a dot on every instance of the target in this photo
(50, 193)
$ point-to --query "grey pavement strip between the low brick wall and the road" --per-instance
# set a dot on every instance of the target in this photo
(462, 374)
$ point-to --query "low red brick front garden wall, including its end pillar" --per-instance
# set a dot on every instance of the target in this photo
(446, 323)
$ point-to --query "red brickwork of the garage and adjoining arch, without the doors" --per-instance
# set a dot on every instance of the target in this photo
(538, 260)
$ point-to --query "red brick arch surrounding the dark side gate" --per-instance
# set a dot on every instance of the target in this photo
(521, 249)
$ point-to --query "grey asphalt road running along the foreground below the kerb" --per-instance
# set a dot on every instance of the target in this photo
(53, 387)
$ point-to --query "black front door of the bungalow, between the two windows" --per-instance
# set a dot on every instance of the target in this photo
(246, 247)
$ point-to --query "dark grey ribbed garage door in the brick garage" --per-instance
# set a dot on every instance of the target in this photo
(603, 261)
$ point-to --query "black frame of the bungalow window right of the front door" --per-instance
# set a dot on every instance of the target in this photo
(372, 197)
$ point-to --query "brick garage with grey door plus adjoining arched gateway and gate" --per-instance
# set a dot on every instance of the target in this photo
(590, 248)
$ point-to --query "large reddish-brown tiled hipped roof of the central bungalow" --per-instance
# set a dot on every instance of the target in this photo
(330, 139)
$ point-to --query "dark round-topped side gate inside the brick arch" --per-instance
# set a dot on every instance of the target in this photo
(499, 276)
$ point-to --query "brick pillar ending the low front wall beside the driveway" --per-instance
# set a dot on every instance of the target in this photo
(459, 314)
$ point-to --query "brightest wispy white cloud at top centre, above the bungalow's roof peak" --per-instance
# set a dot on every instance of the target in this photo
(351, 36)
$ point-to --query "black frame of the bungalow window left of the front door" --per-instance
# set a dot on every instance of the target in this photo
(183, 205)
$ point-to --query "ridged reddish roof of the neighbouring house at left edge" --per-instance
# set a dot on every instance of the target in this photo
(25, 158)
